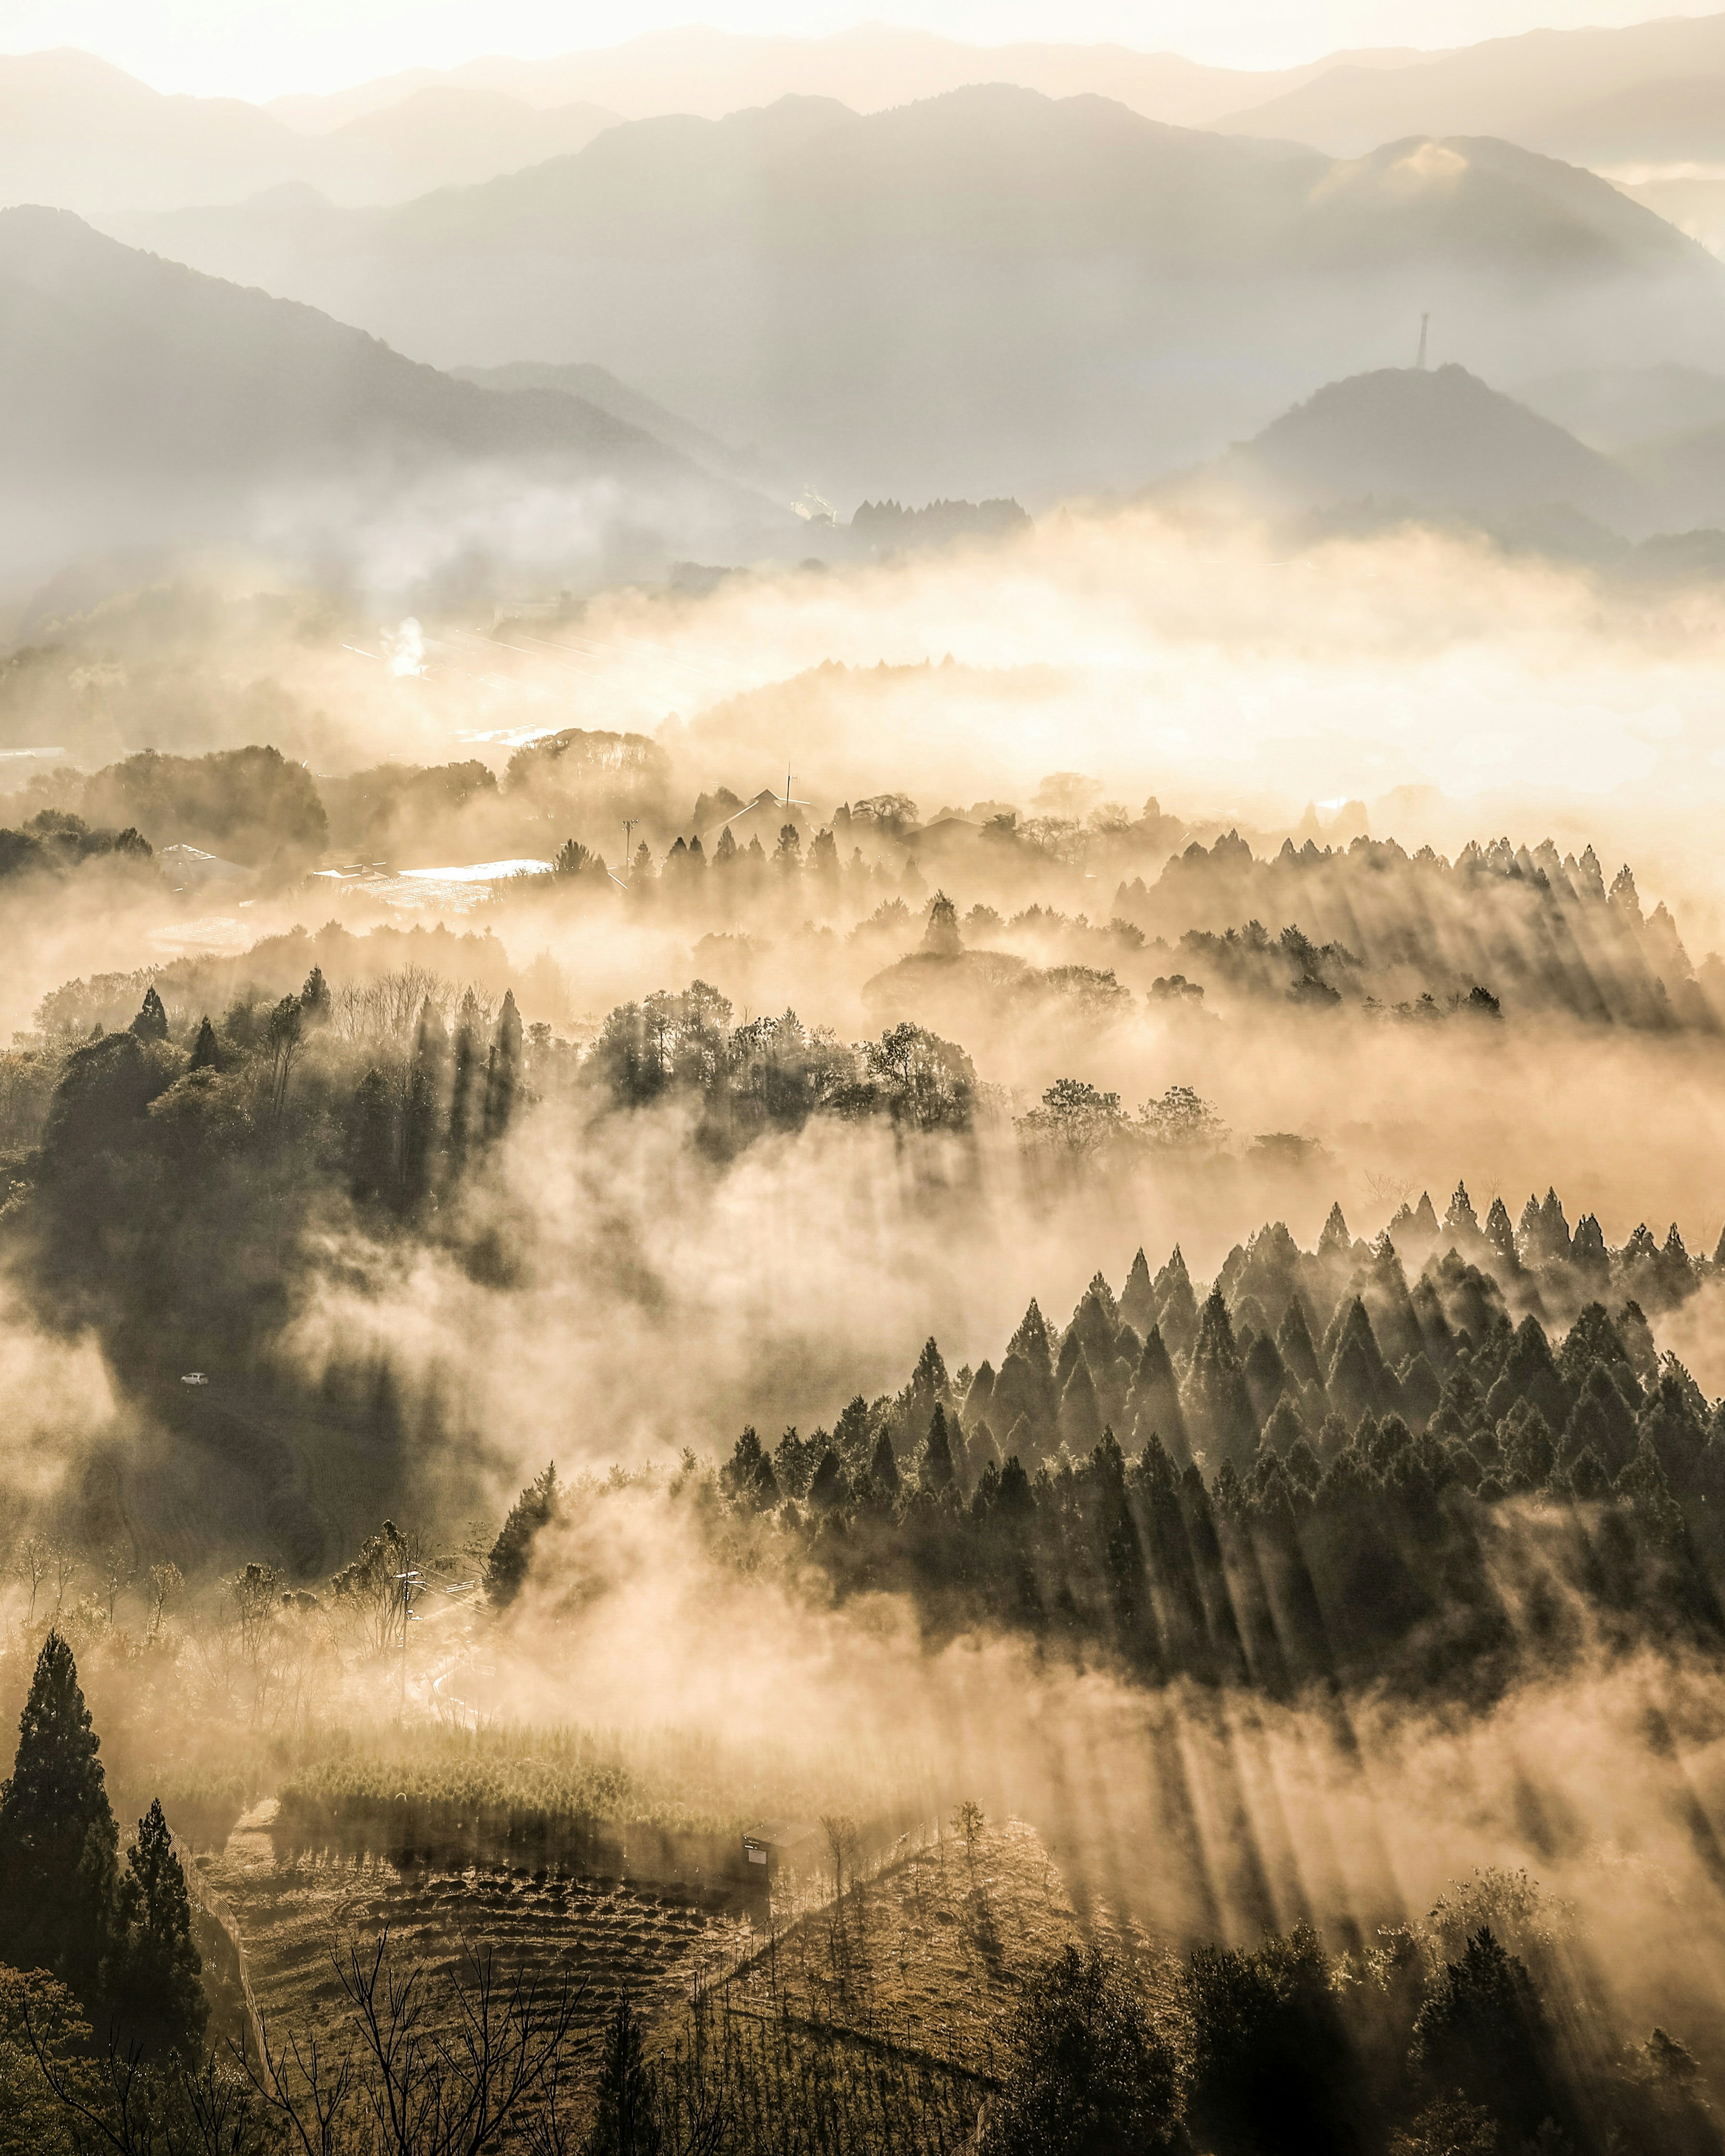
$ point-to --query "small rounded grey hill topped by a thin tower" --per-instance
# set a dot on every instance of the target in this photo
(1429, 441)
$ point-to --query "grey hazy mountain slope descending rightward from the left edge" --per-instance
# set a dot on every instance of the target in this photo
(141, 398)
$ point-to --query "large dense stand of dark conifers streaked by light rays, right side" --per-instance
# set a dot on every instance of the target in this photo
(1295, 1515)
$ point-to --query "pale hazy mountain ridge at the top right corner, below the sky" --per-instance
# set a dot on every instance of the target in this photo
(1651, 92)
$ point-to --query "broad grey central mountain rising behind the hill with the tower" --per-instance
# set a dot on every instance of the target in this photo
(989, 292)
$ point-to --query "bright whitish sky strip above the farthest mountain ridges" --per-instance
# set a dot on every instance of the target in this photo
(260, 49)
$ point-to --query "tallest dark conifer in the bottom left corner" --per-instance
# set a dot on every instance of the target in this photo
(59, 1847)
